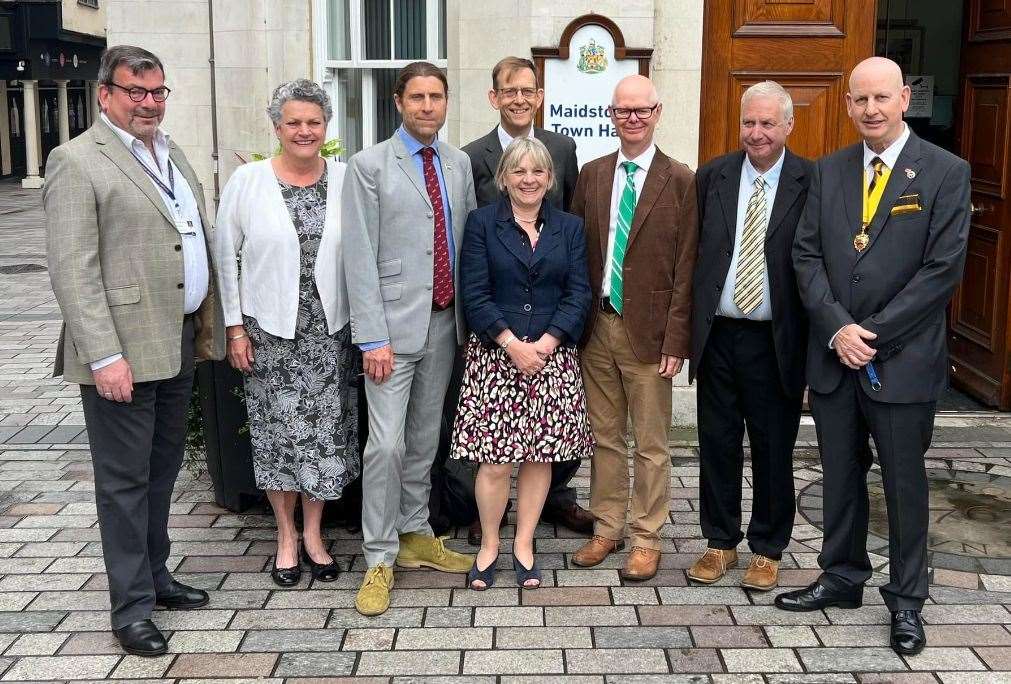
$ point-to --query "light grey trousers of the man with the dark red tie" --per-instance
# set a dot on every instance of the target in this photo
(405, 416)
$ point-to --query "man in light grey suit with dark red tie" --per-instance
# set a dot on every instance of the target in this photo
(405, 207)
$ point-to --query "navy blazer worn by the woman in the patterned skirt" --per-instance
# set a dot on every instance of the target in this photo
(505, 286)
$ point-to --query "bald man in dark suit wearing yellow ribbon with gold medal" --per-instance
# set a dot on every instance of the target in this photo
(878, 254)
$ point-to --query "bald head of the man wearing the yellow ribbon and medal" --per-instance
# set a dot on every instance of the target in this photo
(877, 102)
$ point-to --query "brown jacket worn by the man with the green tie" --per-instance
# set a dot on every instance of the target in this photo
(660, 257)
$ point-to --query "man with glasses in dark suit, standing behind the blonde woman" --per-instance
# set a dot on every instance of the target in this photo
(517, 95)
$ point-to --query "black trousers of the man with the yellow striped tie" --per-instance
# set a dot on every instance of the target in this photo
(740, 388)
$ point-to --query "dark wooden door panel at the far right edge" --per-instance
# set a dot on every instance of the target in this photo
(979, 316)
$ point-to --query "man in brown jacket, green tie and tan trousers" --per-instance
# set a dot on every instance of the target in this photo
(639, 208)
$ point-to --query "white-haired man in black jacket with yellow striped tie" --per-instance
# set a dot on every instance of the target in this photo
(749, 339)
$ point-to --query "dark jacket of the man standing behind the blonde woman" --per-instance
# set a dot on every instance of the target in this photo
(486, 152)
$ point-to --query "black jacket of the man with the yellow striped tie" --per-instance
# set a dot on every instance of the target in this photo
(719, 189)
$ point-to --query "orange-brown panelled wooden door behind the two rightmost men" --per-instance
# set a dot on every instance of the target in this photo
(809, 47)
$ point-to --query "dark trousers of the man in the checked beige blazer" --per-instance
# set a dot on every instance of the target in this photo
(137, 450)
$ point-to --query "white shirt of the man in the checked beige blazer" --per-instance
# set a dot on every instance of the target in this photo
(197, 273)
